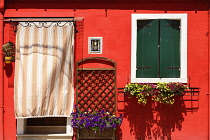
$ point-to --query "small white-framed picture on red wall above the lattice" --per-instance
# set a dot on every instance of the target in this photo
(95, 45)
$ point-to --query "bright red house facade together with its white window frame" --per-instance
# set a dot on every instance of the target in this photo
(113, 22)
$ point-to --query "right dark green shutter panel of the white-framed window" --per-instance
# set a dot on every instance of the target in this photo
(169, 48)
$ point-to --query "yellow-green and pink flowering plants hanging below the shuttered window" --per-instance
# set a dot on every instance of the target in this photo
(161, 92)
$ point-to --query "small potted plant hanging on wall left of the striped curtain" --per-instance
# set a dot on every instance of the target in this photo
(9, 52)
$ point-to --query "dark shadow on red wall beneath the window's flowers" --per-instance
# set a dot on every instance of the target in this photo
(154, 121)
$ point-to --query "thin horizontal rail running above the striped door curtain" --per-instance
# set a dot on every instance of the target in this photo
(43, 19)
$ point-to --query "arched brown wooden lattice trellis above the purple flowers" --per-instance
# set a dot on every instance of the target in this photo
(96, 84)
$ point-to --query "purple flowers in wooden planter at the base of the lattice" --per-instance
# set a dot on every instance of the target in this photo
(95, 123)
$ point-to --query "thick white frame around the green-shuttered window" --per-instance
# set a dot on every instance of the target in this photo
(183, 47)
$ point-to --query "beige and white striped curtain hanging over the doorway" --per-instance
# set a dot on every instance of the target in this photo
(44, 71)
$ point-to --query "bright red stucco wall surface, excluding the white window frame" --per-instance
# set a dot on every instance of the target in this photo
(113, 23)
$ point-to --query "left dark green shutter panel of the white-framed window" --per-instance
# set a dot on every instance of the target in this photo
(147, 49)
